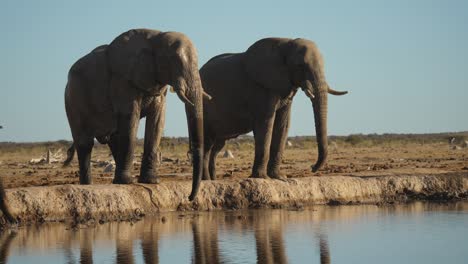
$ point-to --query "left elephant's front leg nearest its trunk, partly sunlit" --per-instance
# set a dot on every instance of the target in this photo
(153, 132)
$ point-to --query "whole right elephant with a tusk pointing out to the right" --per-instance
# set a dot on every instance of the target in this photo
(253, 91)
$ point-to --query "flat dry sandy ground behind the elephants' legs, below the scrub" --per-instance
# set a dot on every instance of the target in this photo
(380, 160)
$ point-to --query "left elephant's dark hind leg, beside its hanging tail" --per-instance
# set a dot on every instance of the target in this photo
(84, 148)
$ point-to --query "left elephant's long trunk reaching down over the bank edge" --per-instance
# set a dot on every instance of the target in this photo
(190, 91)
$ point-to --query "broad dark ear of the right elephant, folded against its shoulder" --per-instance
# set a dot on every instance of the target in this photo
(265, 64)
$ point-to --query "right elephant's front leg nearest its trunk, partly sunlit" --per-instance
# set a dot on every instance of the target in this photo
(278, 142)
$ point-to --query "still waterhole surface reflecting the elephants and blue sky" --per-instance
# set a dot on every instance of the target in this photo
(411, 233)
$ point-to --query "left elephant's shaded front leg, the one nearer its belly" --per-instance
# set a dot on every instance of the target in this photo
(127, 126)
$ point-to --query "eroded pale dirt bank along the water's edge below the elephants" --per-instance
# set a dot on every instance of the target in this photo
(125, 202)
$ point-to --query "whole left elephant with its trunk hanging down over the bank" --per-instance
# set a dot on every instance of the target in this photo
(115, 85)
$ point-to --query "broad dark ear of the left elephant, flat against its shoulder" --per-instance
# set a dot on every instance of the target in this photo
(131, 57)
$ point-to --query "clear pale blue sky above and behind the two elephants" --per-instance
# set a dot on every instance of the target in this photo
(405, 63)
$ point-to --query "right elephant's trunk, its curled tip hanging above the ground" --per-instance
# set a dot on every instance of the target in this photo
(319, 98)
